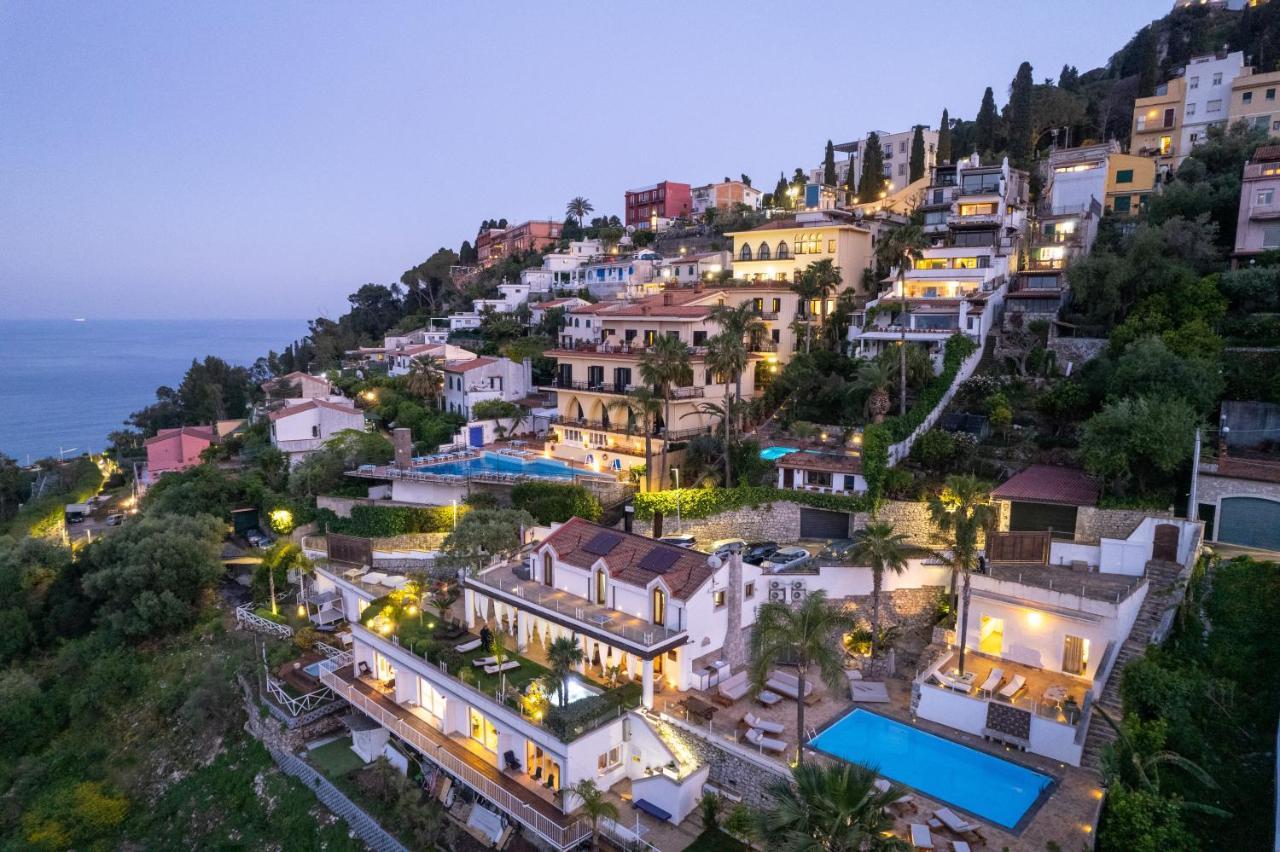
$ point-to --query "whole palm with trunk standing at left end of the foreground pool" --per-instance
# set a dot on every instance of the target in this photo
(804, 635)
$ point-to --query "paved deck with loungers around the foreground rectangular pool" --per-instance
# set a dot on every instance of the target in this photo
(1068, 814)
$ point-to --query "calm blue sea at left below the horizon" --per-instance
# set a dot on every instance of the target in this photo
(65, 384)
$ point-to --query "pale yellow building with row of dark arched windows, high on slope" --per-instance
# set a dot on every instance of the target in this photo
(781, 249)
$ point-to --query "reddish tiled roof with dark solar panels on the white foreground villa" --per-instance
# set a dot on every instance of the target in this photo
(685, 576)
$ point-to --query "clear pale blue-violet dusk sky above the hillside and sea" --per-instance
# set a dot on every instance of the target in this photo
(266, 159)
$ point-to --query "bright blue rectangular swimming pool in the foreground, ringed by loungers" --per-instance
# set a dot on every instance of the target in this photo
(971, 780)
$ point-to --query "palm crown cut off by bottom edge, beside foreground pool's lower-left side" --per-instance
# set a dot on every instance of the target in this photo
(834, 808)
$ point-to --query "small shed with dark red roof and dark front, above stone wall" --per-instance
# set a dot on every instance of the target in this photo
(1045, 498)
